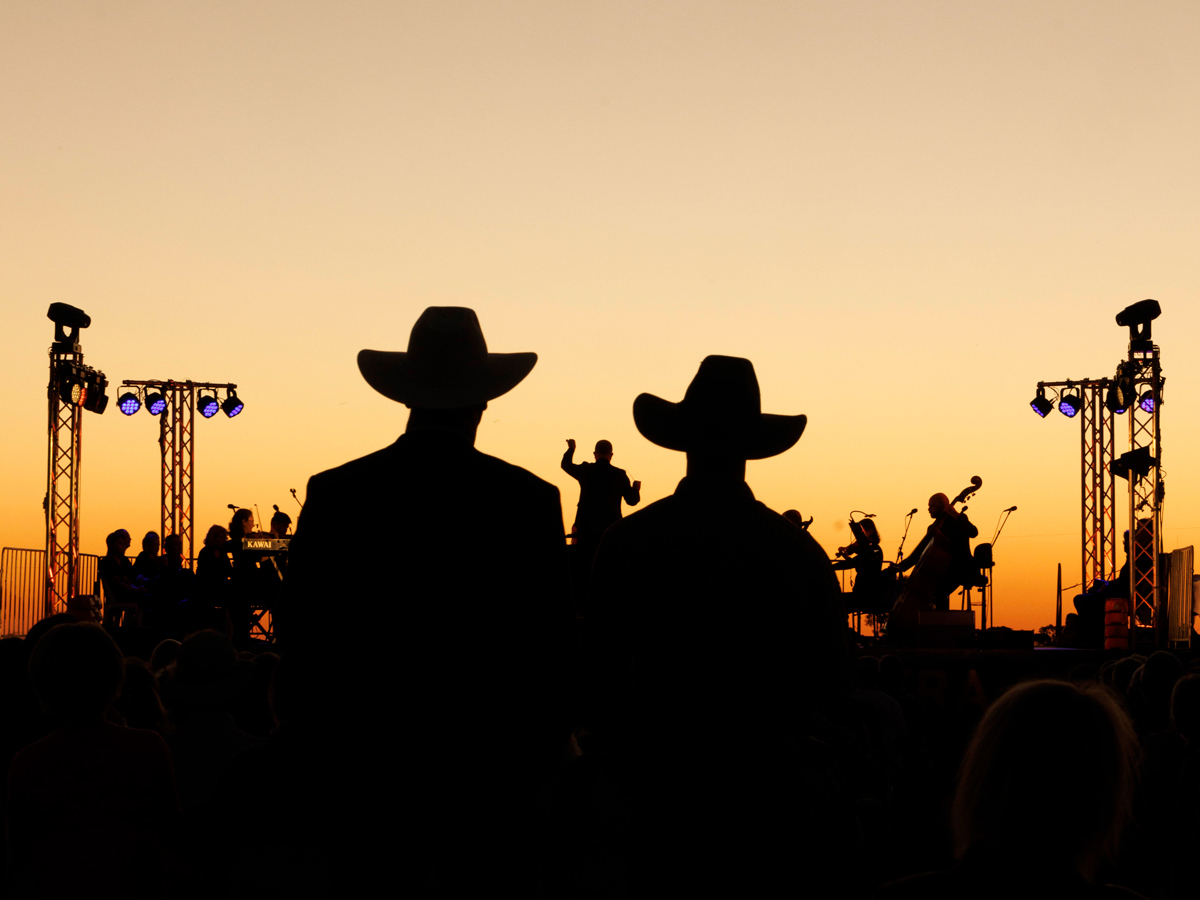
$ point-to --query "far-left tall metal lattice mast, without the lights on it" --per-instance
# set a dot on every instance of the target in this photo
(63, 487)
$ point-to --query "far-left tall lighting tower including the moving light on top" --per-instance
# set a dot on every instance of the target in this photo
(73, 388)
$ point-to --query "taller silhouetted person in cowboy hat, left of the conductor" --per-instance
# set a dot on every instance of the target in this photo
(469, 707)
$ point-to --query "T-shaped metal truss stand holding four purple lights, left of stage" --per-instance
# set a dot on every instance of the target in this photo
(177, 443)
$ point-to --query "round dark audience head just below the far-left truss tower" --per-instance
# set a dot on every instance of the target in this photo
(77, 670)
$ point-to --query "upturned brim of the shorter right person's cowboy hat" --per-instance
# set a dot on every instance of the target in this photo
(669, 425)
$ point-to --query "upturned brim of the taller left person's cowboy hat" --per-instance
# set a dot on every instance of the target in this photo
(499, 374)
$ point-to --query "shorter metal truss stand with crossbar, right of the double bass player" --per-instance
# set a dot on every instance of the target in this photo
(1099, 493)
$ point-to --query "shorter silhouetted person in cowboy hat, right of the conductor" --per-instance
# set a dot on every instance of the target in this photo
(719, 638)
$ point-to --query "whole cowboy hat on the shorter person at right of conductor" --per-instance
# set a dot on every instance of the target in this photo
(721, 415)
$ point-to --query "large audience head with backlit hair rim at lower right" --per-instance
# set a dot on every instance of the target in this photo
(1040, 735)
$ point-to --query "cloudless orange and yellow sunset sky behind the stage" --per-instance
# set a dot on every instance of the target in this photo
(905, 214)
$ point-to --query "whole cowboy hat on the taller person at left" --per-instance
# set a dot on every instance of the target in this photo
(447, 365)
